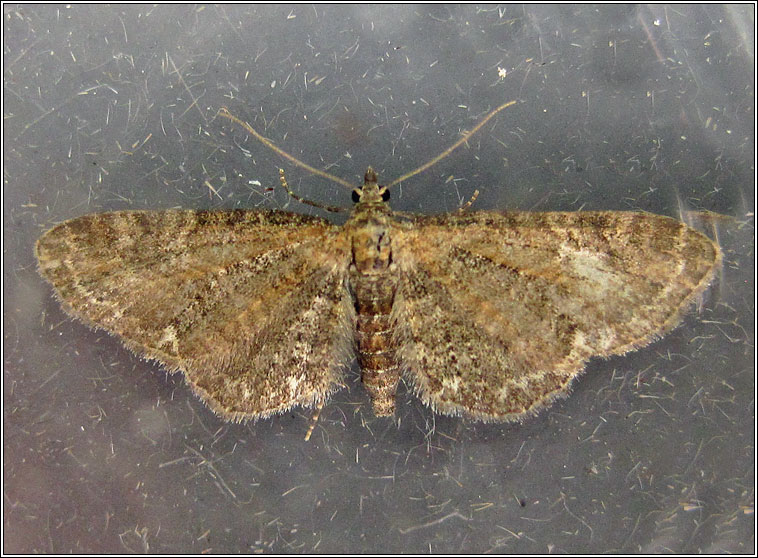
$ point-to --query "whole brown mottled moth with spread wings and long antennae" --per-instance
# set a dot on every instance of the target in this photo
(485, 314)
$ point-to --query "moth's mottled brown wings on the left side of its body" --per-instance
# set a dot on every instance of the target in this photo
(255, 313)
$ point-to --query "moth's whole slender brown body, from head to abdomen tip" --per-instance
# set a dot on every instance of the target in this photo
(373, 286)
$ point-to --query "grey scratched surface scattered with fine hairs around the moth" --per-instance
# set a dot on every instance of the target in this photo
(619, 107)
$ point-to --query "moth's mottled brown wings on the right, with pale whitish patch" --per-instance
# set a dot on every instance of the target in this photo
(496, 313)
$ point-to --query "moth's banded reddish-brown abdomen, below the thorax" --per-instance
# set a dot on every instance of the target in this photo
(380, 373)
